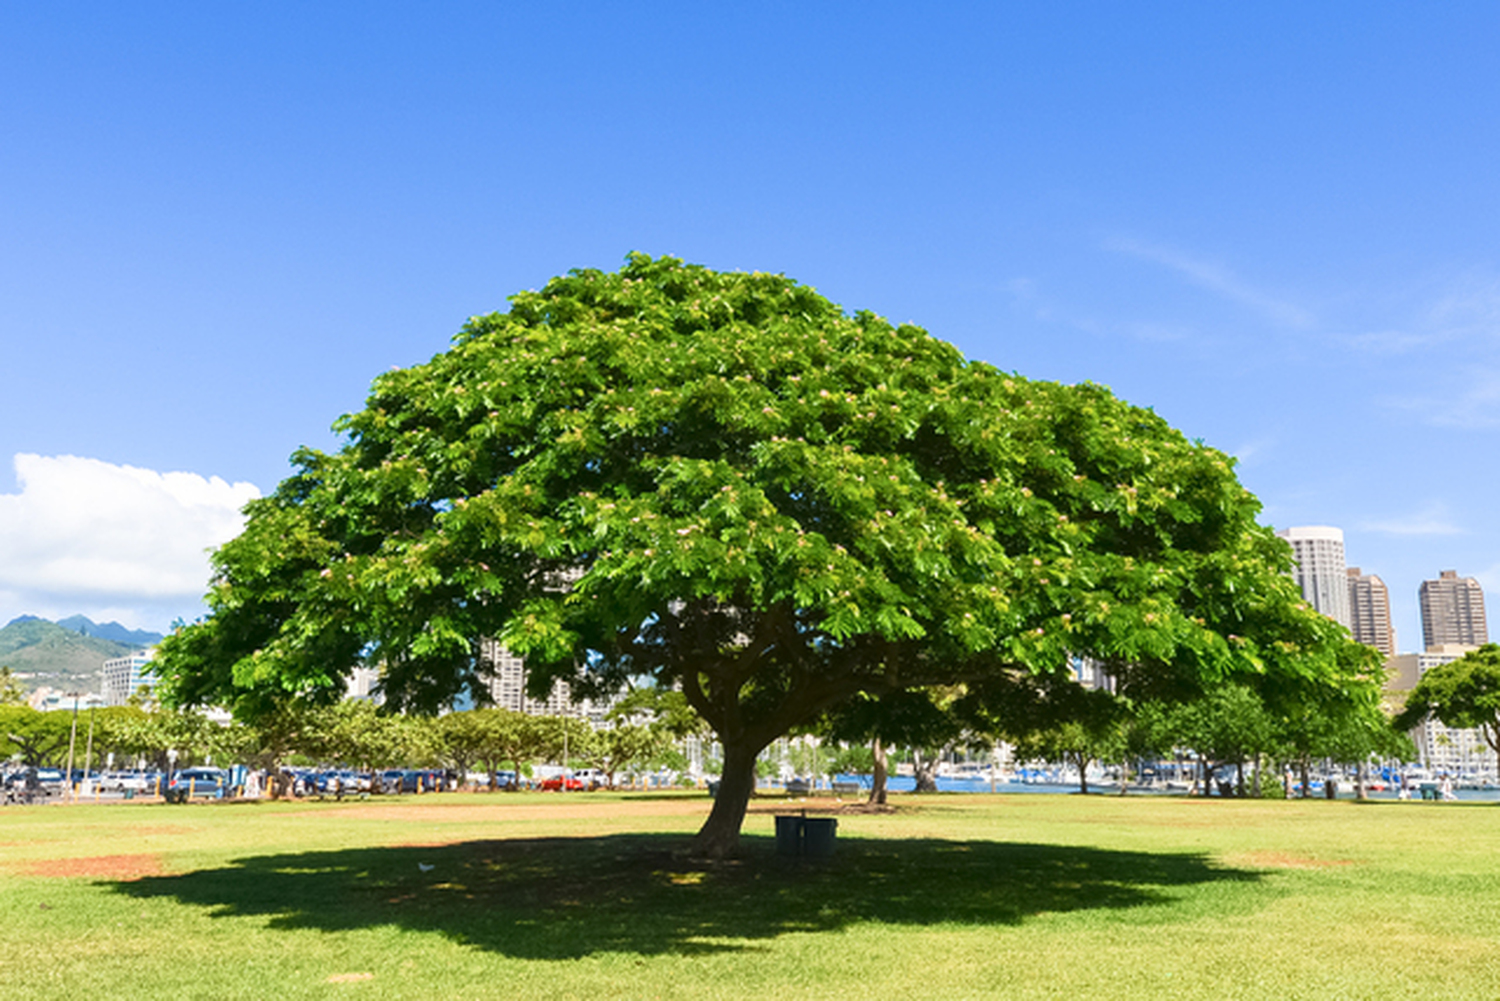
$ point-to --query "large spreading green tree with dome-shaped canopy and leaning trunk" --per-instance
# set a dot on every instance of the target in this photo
(727, 482)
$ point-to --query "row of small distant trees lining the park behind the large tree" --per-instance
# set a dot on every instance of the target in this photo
(1061, 723)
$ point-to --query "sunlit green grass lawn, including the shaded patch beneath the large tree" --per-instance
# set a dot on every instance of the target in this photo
(592, 897)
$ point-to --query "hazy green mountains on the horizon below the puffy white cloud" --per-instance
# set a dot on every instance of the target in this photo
(67, 654)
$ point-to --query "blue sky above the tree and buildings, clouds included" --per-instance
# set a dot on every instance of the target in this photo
(1276, 226)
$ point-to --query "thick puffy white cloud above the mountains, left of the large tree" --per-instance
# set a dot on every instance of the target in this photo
(88, 535)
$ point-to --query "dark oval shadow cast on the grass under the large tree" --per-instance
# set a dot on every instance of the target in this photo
(565, 898)
